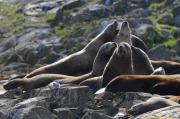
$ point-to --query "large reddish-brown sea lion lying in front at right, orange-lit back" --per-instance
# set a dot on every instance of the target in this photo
(158, 84)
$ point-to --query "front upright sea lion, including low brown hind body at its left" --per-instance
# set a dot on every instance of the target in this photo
(119, 63)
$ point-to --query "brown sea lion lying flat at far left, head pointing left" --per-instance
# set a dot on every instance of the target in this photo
(34, 82)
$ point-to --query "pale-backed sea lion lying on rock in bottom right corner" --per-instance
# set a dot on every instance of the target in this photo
(150, 105)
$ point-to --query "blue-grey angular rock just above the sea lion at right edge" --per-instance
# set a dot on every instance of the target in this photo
(161, 52)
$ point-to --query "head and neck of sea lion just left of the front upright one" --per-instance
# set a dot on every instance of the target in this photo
(102, 57)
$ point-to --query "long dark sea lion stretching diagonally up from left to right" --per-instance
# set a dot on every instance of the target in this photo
(80, 62)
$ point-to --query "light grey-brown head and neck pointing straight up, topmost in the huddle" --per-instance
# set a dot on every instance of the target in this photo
(124, 34)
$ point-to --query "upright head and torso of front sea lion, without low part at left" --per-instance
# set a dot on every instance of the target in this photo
(119, 63)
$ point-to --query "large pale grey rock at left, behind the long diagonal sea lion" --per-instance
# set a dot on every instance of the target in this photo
(30, 47)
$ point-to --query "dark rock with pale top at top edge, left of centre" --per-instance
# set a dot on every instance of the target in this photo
(73, 4)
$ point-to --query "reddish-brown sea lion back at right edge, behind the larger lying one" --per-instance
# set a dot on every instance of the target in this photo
(170, 67)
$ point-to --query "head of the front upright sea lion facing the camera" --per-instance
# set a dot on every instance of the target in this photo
(123, 50)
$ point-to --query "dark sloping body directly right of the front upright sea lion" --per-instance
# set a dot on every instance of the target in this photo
(141, 61)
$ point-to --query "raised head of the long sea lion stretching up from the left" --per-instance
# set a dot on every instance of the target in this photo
(112, 29)
